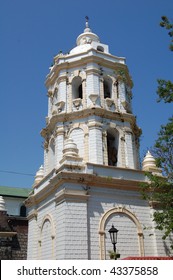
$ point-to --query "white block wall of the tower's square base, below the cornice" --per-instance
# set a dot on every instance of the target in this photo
(73, 230)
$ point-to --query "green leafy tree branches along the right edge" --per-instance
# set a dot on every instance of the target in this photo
(160, 189)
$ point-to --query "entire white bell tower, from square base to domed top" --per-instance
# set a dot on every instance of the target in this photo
(91, 177)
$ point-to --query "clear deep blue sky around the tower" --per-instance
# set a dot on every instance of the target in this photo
(33, 31)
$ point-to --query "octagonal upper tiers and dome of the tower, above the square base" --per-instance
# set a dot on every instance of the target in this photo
(89, 101)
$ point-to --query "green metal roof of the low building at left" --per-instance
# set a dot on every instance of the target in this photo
(16, 192)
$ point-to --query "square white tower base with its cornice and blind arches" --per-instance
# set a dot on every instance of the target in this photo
(71, 213)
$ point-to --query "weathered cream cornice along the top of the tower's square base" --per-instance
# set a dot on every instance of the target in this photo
(95, 180)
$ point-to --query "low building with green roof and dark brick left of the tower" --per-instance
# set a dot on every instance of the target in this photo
(13, 223)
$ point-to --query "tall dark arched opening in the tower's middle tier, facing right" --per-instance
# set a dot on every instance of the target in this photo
(112, 147)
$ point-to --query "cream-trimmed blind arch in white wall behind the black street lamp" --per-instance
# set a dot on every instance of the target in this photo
(120, 216)
